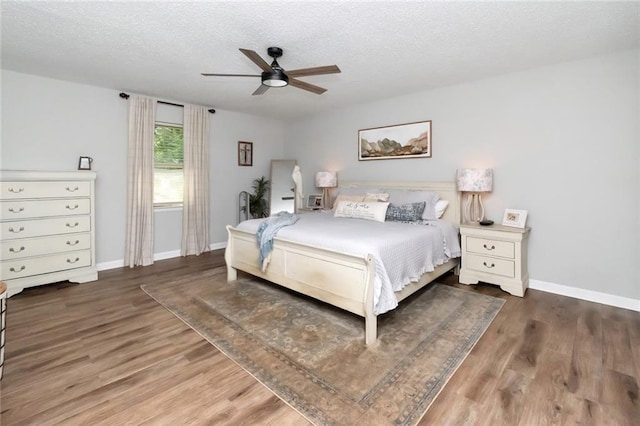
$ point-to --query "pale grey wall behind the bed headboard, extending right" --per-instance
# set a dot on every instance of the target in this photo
(562, 140)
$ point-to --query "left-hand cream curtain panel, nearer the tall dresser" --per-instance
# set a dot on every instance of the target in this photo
(139, 237)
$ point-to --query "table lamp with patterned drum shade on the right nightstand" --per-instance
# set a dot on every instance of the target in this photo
(474, 181)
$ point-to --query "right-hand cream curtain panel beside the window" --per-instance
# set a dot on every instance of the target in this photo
(195, 213)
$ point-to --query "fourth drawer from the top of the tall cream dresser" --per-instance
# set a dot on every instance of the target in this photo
(28, 247)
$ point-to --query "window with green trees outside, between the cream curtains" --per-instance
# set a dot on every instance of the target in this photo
(168, 154)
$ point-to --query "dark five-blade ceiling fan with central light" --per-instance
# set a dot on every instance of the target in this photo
(275, 76)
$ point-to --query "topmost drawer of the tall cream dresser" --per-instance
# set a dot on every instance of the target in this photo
(51, 189)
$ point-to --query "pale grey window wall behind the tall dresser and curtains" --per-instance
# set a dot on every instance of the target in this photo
(47, 124)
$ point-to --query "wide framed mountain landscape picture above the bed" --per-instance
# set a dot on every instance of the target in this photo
(409, 140)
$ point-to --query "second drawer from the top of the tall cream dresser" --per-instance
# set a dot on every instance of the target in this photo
(11, 210)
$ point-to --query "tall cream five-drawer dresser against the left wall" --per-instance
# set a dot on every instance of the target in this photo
(47, 228)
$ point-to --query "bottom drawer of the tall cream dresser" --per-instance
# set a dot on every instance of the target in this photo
(19, 268)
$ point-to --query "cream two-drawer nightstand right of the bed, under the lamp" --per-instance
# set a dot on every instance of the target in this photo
(495, 254)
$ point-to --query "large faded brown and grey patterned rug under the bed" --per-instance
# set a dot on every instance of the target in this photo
(313, 356)
